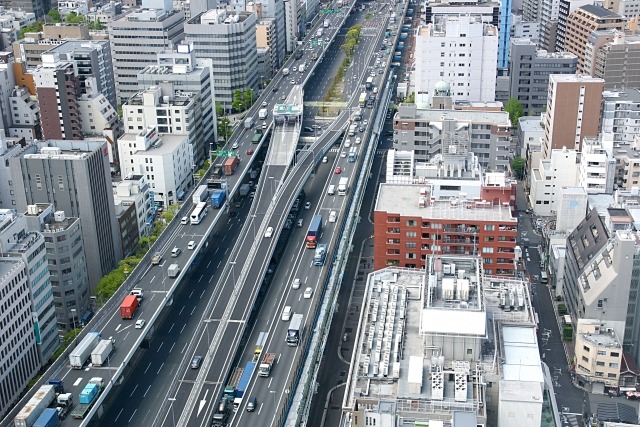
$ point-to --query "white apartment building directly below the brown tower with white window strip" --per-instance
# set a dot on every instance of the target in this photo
(560, 170)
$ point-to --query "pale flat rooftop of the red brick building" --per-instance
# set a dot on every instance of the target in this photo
(405, 199)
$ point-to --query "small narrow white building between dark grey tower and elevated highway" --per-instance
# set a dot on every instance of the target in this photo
(134, 190)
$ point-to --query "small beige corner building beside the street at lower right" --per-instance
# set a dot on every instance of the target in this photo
(598, 355)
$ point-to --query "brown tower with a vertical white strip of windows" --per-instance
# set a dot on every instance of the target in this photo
(573, 111)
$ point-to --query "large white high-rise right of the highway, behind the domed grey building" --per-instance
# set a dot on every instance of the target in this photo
(460, 50)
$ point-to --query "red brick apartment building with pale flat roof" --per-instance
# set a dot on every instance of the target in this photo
(409, 225)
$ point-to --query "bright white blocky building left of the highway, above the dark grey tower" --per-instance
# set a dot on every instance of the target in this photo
(165, 160)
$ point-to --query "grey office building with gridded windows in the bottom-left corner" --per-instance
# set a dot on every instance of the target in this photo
(19, 348)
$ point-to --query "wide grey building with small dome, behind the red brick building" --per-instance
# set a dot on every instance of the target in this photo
(429, 132)
